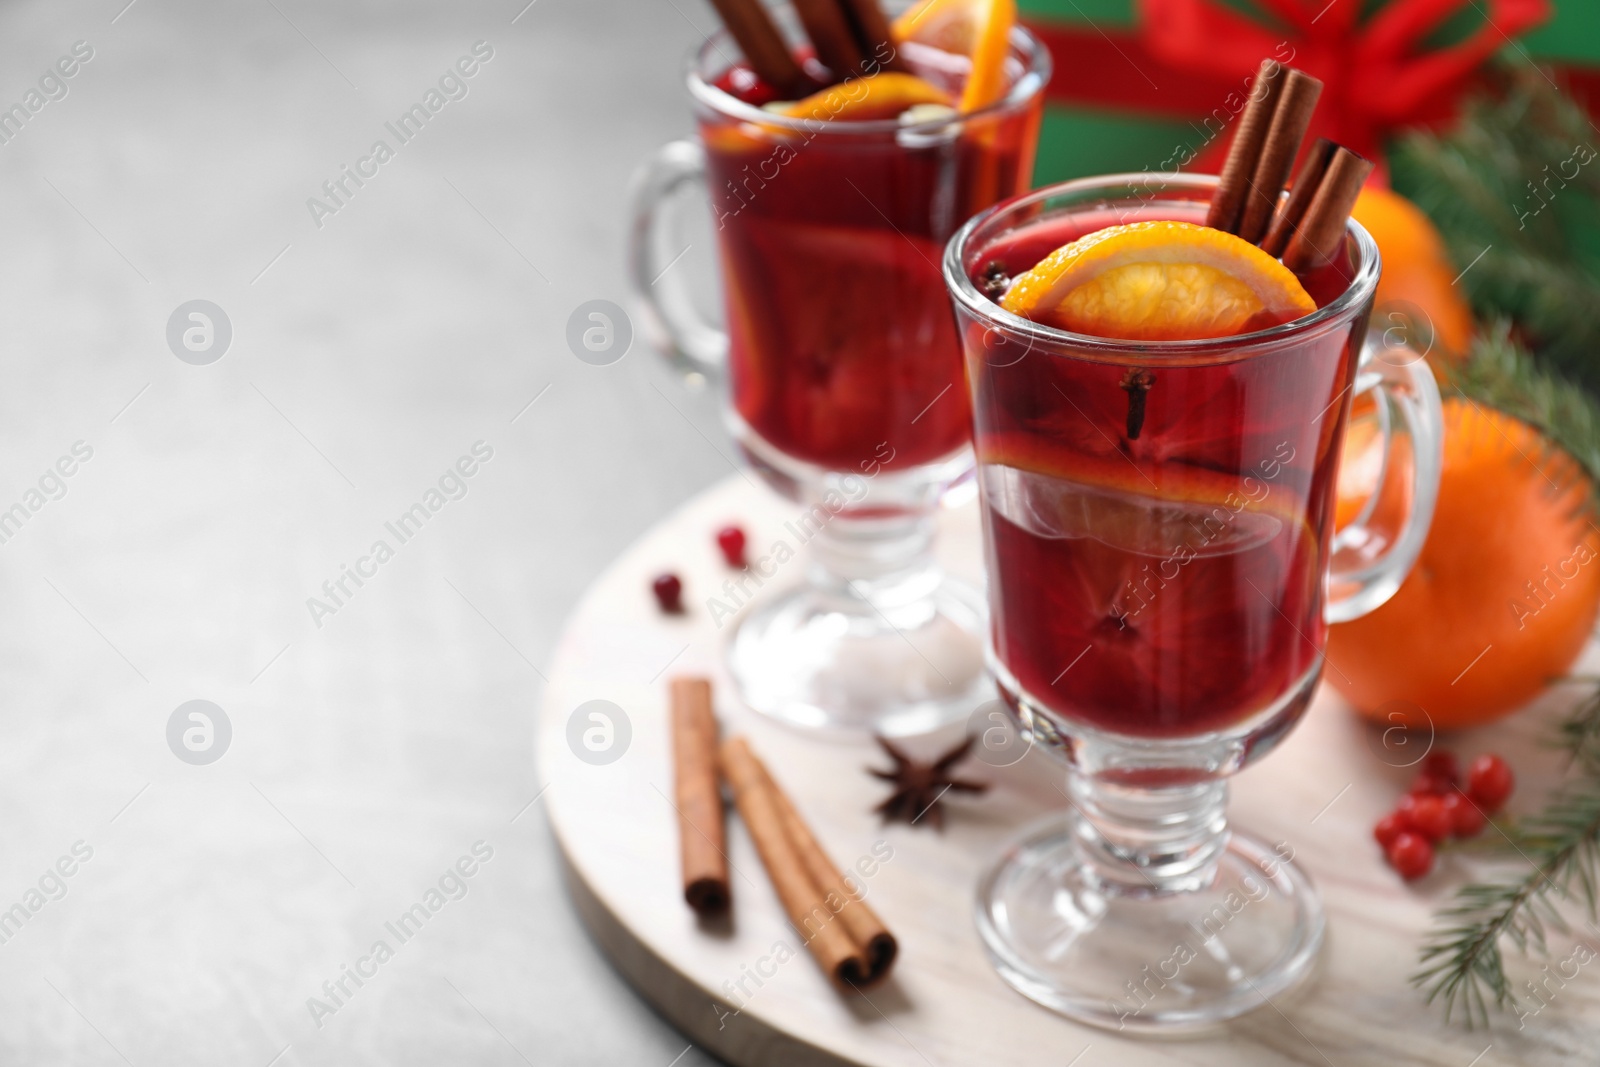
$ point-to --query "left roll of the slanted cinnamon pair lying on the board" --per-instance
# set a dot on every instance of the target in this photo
(831, 943)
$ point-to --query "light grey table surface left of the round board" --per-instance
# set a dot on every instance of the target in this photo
(378, 743)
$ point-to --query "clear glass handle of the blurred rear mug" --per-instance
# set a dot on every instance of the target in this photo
(694, 343)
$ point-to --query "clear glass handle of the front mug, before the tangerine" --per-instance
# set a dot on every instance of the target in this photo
(1375, 553)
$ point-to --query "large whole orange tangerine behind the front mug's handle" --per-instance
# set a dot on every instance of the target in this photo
(1503, 596)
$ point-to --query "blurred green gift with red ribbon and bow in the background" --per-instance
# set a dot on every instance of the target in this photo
(1154, 84)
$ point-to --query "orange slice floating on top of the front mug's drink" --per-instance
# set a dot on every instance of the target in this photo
(1159, 282)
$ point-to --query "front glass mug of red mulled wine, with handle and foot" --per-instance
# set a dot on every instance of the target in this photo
(1159, 524)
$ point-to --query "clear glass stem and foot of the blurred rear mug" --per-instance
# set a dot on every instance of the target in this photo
(878, 637)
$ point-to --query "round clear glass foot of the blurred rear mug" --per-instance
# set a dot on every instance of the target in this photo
(836, 663)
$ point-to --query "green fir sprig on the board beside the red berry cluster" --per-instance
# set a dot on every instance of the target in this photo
(1463, 964)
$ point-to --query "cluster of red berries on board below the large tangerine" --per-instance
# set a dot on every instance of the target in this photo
(1439, 807)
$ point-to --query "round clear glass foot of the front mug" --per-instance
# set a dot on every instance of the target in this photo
(1151, 964)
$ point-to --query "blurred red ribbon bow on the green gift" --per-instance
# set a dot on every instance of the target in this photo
(1375, 76)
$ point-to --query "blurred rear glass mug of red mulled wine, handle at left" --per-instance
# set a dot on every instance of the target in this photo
(844, 370)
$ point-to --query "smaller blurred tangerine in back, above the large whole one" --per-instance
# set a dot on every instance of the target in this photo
(1418, 271)
